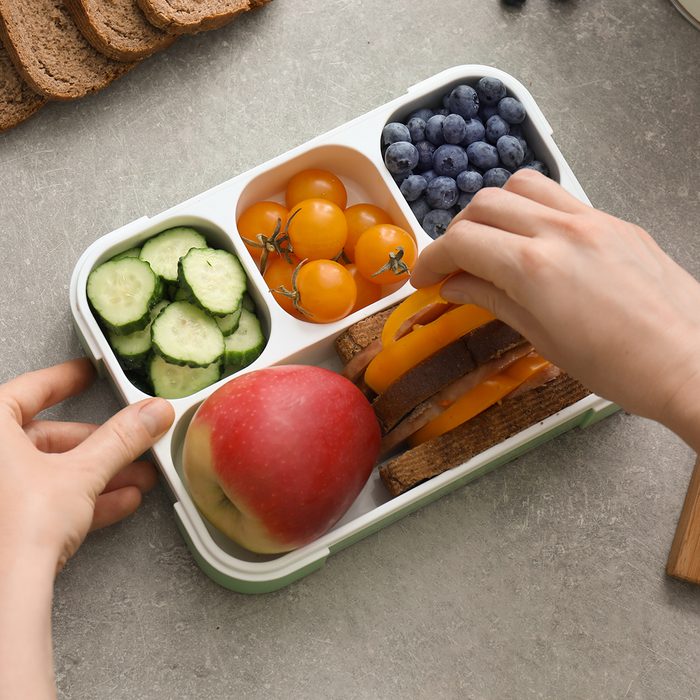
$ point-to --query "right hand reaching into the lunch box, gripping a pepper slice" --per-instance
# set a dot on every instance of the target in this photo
(593, 293)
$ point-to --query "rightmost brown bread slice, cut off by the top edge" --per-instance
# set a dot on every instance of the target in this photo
(192, 16)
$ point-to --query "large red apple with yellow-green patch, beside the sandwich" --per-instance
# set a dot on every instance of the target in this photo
(276, 456)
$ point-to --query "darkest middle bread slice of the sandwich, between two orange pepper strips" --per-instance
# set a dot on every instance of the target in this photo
(486, 343)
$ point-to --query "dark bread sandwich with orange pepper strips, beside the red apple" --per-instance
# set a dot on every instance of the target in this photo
(447, 382)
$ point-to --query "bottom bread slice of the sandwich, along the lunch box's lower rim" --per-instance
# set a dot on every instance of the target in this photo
(503, 420)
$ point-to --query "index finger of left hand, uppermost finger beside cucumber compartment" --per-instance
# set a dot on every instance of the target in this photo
(31, 393)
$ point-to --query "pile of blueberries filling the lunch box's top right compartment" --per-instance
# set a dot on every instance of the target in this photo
(441, 158)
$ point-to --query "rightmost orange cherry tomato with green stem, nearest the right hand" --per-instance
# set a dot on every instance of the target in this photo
(385, 254)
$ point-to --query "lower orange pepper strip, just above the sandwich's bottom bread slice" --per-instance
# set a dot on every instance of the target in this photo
(480, 398)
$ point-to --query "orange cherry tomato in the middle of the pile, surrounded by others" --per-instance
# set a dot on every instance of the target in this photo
(317, 229)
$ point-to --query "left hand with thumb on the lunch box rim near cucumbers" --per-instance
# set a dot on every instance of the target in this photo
(58, 480)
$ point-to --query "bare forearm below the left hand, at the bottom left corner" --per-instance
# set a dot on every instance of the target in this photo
(26, 589)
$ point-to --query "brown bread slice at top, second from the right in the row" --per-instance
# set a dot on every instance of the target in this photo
(118, 28)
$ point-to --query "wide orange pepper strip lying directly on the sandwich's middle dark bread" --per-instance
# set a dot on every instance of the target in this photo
(422, 342)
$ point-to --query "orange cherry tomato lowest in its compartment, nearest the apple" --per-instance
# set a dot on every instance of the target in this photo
(327, 291)
